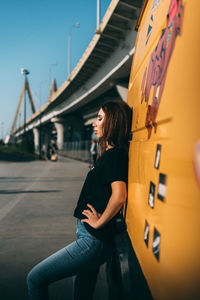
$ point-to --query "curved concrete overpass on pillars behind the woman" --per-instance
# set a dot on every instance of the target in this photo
(101, 74)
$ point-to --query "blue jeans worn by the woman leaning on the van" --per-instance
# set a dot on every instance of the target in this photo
(80, 259)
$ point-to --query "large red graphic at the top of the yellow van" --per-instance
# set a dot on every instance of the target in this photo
(159, 61)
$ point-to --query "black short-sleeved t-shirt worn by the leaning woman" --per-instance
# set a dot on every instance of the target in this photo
(111, 166)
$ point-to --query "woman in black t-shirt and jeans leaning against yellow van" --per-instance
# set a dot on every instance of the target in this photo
(102, 196)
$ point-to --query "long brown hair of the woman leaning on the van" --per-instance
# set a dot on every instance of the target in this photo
(116, 126)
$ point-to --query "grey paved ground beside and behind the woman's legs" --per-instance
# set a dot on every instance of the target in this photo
(37, 200)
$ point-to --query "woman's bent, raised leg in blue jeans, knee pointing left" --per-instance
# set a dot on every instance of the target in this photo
(83, 255)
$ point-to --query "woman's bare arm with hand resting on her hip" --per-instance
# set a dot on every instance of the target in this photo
(117, 199)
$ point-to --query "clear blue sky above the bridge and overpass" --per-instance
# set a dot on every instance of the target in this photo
(33, 35)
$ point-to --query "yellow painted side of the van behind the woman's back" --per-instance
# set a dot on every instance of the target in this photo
(176, 275)
